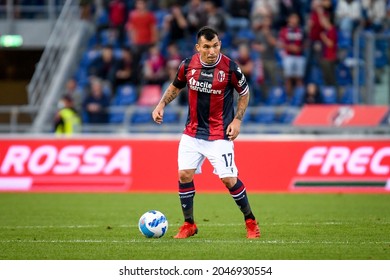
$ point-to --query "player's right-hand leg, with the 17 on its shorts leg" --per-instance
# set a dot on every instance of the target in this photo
(221, 156)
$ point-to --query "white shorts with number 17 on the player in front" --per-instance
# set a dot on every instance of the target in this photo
(220, 153)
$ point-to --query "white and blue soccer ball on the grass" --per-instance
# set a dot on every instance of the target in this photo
(153, 224)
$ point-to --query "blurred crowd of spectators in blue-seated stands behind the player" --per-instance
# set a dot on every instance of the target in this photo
(288, 44)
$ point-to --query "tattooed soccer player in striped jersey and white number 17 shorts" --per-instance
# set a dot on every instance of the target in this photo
(211, 126)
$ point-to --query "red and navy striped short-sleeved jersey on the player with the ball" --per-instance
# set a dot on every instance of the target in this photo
(211, 90)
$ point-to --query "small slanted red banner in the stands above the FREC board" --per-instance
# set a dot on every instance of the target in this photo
(337, 115)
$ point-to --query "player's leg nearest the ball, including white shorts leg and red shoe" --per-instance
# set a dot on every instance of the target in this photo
(190, 162)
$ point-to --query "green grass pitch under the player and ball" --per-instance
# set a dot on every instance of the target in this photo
(104, 226)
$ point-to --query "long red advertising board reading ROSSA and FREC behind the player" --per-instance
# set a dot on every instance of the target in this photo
(150, 165)
